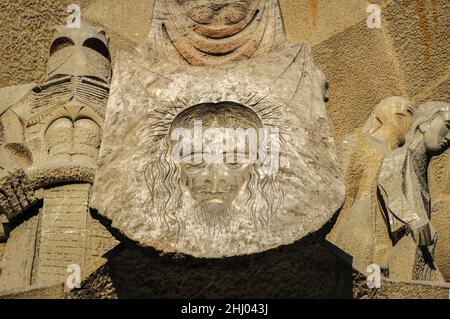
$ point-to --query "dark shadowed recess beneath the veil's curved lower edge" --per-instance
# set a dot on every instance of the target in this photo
(283, 272)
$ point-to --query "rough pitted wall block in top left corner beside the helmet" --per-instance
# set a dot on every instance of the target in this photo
(27, 27)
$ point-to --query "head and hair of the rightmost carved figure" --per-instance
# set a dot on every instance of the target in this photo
(433, 122)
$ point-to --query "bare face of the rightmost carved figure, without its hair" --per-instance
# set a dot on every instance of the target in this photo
(437, 136)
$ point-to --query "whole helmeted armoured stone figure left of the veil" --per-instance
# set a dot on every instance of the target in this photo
(51, 139)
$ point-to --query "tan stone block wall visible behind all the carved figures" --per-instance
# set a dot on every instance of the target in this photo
(408, 56)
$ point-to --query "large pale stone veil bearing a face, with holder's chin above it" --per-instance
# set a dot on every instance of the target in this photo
(216, 66)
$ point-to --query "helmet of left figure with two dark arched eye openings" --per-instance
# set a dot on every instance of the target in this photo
(79, 52)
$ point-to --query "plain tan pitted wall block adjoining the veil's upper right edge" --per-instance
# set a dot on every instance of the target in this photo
(343, 58)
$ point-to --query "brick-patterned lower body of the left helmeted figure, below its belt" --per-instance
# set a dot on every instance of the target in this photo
(65, 206)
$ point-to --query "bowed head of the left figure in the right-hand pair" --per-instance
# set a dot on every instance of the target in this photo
(390, 121)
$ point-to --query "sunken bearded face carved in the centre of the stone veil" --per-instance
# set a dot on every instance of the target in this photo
(216, 163)
